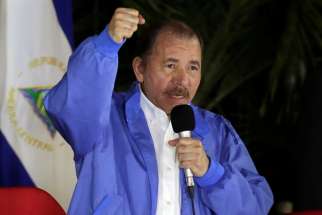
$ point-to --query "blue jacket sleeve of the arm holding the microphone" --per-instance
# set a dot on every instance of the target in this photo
(240, 190)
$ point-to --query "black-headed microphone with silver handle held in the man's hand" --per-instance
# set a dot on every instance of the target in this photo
(183, 122)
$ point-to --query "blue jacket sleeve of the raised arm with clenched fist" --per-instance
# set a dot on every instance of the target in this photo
(79, 105)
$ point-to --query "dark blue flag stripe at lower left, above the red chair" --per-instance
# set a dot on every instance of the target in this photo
(12, 171)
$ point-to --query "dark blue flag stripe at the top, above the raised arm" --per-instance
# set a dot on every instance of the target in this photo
(64, 13)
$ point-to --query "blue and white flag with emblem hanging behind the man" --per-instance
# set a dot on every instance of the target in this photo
(34, 49)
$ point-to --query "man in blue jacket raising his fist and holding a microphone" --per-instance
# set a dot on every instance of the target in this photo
(126, 153)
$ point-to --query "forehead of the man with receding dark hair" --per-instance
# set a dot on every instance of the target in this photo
(168, 43)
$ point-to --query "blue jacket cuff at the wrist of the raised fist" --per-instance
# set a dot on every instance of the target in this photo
(105, 43)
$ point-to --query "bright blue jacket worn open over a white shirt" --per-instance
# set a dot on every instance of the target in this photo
(114, 153)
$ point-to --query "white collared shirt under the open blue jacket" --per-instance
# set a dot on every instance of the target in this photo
(169, 197)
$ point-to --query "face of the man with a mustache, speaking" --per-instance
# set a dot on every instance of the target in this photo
(171, 74)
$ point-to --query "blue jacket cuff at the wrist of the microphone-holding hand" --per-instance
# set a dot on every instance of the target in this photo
(212, 176)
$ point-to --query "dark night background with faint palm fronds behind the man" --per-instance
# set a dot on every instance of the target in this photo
(261, 70)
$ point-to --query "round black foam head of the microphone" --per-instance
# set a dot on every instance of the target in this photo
(182, 118)
